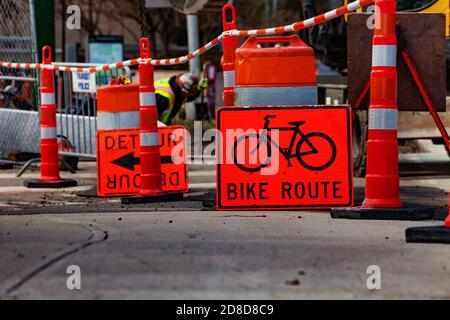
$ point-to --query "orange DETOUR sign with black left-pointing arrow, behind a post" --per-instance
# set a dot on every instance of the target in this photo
(119, 165)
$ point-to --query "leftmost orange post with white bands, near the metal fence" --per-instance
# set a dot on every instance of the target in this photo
(49, 143)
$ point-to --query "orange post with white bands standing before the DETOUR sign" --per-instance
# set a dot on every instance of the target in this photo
(151, 181)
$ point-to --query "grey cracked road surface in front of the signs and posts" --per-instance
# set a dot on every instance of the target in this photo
(187, 250)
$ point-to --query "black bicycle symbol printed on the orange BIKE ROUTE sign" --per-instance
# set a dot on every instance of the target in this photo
(317, 143)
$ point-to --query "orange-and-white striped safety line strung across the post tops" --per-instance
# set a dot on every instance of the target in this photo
(297, 26)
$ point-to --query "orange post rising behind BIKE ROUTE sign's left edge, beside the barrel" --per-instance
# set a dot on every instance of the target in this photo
(230, 44)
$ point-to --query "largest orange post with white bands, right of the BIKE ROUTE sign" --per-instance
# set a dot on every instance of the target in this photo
(382, 180)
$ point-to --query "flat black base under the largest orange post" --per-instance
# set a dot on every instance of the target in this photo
(408, 214)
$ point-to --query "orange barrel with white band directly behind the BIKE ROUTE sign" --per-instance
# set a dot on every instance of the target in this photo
(275, 76)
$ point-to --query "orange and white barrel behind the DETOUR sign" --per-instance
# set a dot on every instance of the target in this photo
(118, 107)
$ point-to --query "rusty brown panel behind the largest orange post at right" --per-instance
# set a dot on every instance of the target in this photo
(424, 35)
